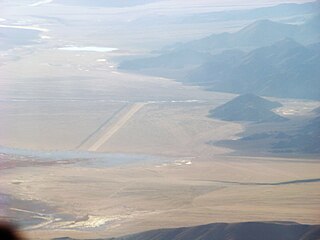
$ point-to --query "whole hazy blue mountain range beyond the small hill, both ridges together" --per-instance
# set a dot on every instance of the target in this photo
(278, 64)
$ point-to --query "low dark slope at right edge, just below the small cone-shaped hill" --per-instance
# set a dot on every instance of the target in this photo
(297, 137)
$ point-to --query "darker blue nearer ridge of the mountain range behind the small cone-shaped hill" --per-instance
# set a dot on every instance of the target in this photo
(285, 69)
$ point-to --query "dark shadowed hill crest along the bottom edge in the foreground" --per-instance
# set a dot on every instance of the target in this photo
(234, 231)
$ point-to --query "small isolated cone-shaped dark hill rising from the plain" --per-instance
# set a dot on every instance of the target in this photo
(247, 107)
